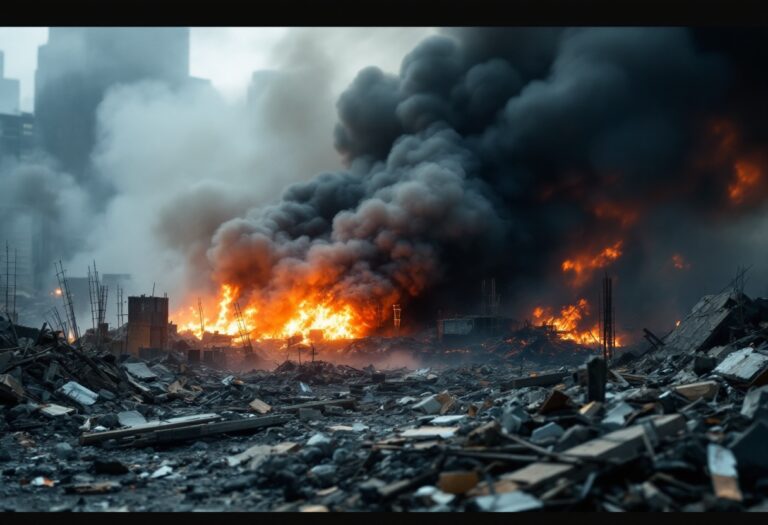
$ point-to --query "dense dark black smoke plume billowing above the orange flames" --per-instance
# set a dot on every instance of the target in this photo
(503, 153)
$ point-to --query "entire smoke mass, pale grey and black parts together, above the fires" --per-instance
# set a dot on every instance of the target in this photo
(493, 152)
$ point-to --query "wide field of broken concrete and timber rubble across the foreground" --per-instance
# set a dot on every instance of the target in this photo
(679, 426)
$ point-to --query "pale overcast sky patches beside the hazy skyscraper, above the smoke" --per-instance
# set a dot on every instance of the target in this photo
(228, 56)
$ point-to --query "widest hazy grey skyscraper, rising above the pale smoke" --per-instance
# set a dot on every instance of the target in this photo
(77, 66)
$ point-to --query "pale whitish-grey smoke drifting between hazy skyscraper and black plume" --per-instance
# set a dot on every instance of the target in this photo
(181, 159)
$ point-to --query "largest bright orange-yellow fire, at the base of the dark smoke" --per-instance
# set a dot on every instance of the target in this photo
(336, 321)
